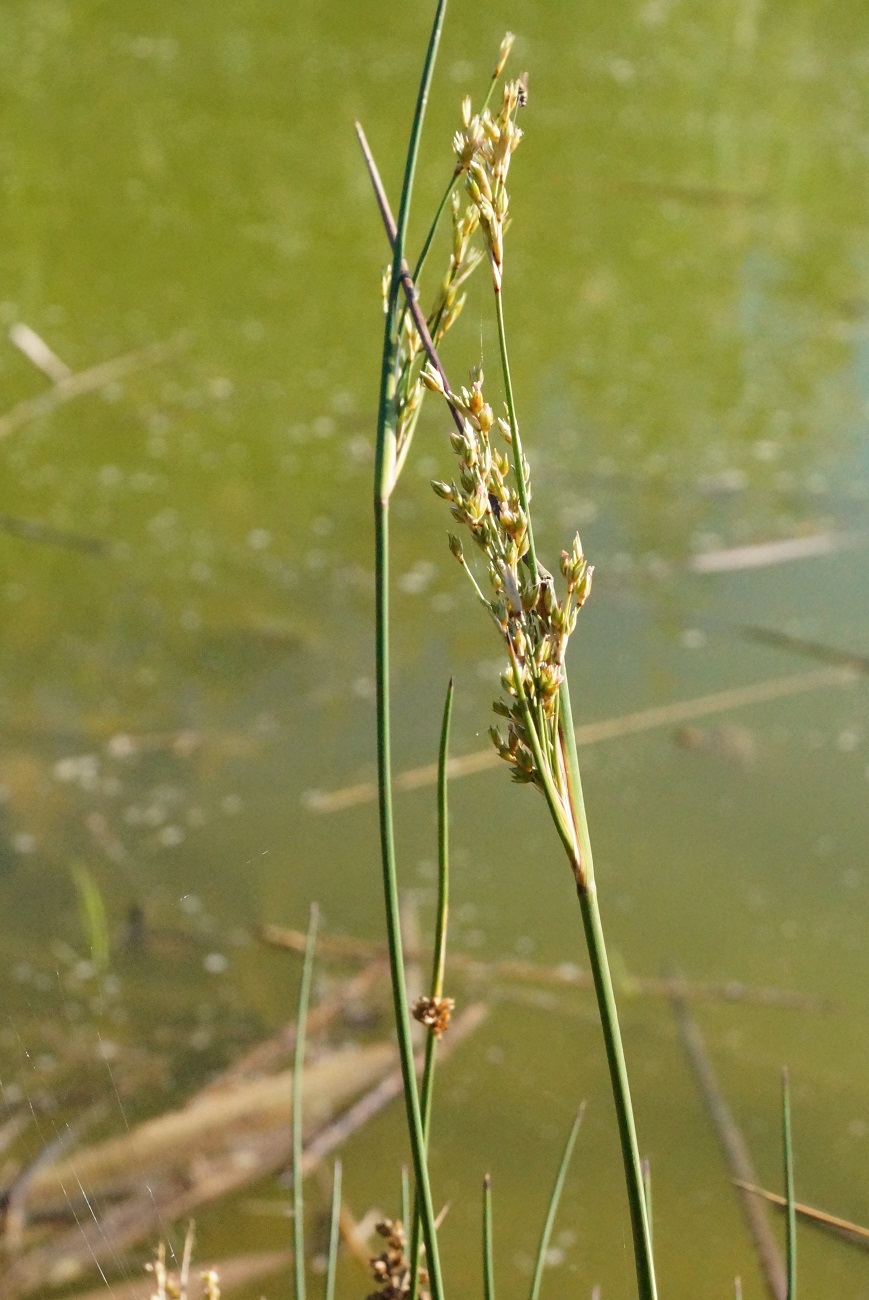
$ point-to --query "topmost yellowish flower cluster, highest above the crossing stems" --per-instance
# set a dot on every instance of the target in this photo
(483, 150)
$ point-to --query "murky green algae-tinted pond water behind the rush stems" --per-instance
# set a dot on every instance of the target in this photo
(188, 603)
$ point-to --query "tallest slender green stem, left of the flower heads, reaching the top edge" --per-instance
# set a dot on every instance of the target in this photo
(384, 484)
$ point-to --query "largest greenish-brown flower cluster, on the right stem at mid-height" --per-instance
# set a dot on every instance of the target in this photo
(534, 623)
